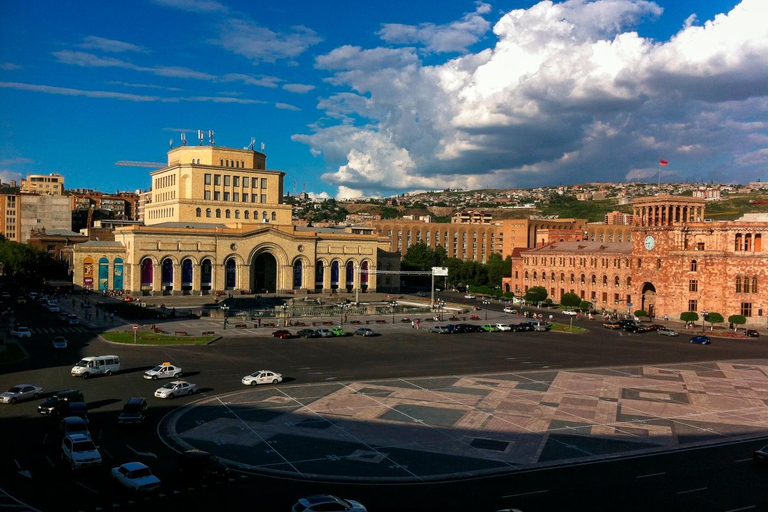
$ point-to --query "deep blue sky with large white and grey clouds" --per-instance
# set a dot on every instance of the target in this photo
(376, 98)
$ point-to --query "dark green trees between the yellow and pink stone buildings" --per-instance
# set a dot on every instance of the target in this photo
(460, 273)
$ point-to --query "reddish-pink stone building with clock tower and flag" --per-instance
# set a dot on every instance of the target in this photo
(672, 260)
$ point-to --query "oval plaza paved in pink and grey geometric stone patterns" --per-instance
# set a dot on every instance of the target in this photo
(451, 427)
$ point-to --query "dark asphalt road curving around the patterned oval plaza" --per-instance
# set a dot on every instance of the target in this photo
(718, 478)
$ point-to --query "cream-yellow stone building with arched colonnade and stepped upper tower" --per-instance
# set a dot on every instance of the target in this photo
(215, 221)
